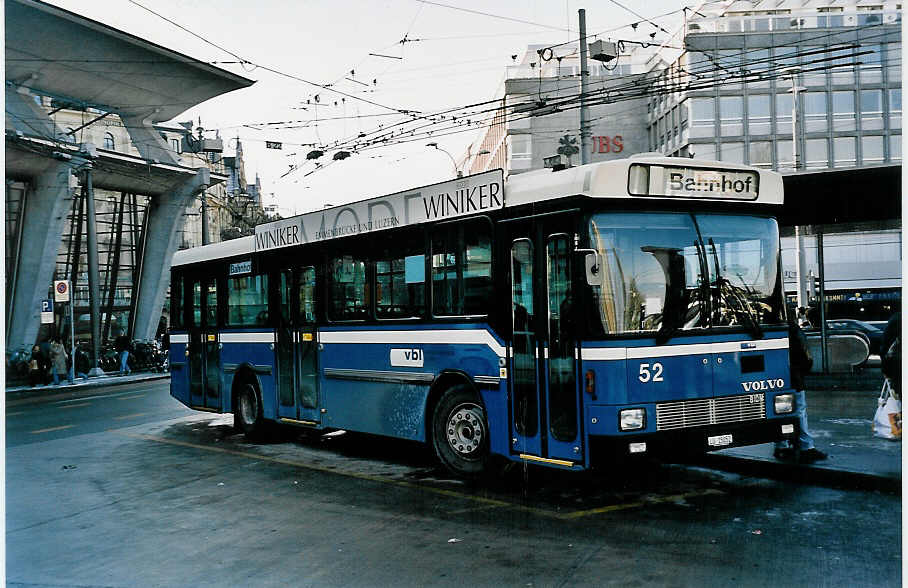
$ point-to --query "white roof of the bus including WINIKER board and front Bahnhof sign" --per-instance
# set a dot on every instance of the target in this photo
(638, 177)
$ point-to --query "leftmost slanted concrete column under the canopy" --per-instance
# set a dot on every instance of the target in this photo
(44, 216)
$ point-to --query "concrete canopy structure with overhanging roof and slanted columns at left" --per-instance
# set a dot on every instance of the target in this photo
(51, 52)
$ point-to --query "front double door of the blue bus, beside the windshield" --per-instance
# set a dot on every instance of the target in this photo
(544, 396)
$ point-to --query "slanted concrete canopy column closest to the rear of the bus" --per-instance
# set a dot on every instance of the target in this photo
(162, 239)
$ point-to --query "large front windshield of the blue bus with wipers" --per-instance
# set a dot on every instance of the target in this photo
(661, 273)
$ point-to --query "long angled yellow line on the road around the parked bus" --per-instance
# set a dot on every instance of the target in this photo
(481, 500)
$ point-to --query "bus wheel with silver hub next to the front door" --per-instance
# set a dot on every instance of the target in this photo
(460, 433)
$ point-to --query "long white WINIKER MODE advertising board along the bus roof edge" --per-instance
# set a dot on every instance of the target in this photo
(469, 195)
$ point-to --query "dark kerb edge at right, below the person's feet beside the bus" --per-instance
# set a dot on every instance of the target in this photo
(819, 475)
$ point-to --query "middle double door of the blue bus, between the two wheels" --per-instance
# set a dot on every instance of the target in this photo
(298, 348)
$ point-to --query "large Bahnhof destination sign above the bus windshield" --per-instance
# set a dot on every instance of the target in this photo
(691, 182)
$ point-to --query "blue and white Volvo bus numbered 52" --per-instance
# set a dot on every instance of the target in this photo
(567, 318)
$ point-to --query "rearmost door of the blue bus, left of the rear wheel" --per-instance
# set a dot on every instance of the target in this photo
(204, 345)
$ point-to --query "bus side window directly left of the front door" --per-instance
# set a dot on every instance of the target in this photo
(462, 268)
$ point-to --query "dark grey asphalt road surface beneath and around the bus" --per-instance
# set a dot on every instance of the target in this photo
(139, 491)
